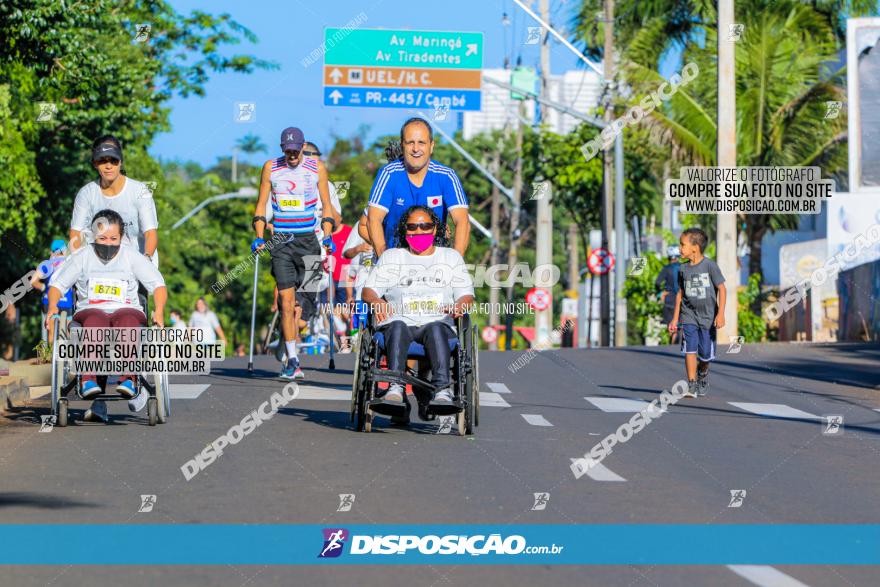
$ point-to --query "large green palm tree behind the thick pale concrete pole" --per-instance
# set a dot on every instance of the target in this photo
(781, 96)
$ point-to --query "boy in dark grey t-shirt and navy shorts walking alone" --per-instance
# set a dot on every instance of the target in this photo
(699, 308)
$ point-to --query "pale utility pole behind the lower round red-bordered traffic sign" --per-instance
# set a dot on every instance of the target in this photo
(544, 235)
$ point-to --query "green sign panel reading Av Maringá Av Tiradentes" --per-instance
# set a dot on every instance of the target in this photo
(426, 49)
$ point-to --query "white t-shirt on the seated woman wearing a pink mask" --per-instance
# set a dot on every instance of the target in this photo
(419, 286)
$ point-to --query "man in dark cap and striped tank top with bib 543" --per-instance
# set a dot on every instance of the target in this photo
(294, 184)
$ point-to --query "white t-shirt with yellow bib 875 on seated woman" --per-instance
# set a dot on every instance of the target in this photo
(109, 286)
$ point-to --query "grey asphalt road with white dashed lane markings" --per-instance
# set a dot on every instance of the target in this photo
(762, 430)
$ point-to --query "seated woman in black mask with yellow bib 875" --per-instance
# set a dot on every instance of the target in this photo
(106, 276)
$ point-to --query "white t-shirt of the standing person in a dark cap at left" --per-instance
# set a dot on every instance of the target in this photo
(134, 203)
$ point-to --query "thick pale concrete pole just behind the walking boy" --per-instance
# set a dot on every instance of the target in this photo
(726, 227)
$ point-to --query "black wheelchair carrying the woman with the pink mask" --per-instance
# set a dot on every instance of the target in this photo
(366, 400)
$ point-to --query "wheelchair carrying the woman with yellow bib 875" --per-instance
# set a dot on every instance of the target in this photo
(63, 382)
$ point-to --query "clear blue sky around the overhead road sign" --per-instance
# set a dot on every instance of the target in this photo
(203, 128)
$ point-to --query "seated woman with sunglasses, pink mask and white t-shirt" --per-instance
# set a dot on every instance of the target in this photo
(415, 292)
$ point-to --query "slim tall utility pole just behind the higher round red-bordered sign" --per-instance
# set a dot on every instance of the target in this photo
(608, 177)
